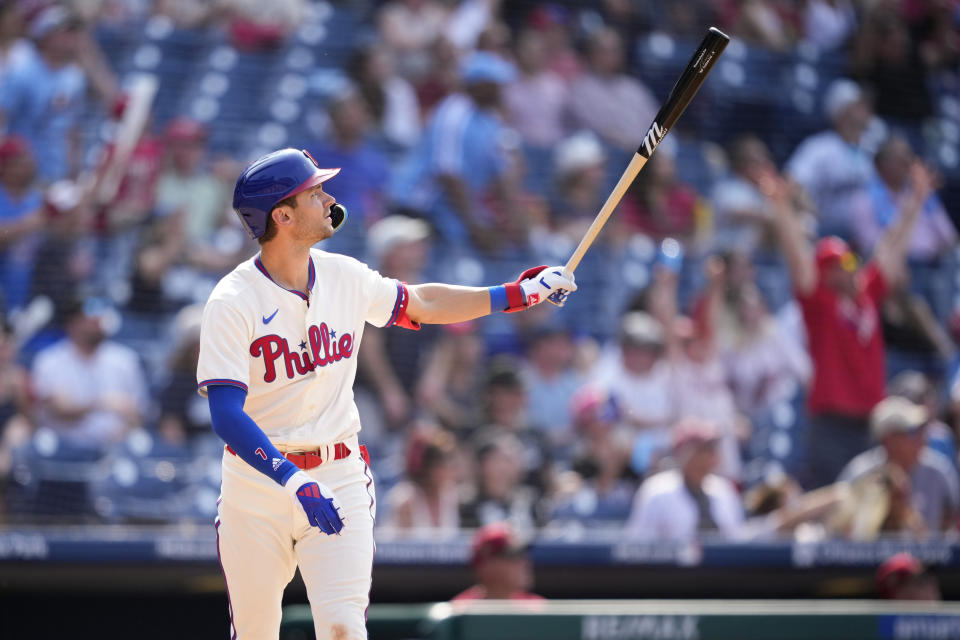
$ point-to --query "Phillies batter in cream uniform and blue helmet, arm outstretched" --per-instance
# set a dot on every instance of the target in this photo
(278, 356)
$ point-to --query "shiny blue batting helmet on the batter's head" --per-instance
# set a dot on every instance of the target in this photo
(276, 176)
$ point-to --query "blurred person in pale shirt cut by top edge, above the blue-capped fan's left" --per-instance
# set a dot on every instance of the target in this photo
(409, 28)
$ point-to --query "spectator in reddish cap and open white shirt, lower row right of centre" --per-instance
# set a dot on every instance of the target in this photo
(690, 501)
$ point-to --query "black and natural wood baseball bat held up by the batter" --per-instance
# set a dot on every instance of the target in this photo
(680, 96)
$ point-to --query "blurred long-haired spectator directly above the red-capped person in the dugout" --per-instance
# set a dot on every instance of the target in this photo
(499, 491)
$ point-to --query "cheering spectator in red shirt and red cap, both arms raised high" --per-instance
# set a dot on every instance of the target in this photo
(841, 310)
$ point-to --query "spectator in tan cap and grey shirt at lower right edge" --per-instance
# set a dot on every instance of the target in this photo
(898, 426)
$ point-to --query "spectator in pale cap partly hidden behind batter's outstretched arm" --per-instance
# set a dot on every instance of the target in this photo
(391, 361)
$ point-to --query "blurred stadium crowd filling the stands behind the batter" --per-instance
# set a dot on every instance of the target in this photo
(765, 338)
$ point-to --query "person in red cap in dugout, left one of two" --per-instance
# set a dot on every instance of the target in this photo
(501, 563)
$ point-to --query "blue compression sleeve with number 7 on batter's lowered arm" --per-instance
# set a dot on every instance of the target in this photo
(238, 430)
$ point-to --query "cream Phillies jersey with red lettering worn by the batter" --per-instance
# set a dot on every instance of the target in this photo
(295, 352)
